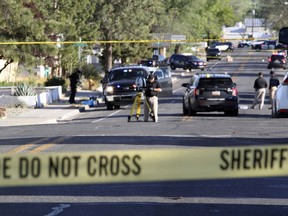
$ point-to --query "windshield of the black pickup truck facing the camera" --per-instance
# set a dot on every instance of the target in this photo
(132, 73)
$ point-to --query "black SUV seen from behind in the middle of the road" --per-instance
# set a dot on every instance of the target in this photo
(209, 93)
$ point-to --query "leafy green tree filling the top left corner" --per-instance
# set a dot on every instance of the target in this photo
(21, 21)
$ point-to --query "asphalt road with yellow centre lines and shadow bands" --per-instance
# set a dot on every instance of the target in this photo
(100, 129)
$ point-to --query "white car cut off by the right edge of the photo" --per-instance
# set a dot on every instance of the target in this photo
(280, 101)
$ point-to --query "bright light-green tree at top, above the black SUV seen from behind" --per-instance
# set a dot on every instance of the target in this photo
(200, 19)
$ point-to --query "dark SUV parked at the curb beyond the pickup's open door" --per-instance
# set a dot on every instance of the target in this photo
(186, 62)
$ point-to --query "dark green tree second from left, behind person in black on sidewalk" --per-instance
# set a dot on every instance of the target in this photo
(69, 20)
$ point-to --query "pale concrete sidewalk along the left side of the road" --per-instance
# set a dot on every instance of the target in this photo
(52, 113)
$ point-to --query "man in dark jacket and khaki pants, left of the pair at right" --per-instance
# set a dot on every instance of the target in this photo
(260, 86)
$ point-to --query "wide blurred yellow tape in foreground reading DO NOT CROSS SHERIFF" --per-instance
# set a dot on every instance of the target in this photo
(143, 165)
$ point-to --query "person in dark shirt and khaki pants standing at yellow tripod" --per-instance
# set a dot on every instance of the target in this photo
(151, 97)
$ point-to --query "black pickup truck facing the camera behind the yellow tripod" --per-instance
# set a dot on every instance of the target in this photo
(120, 87)
